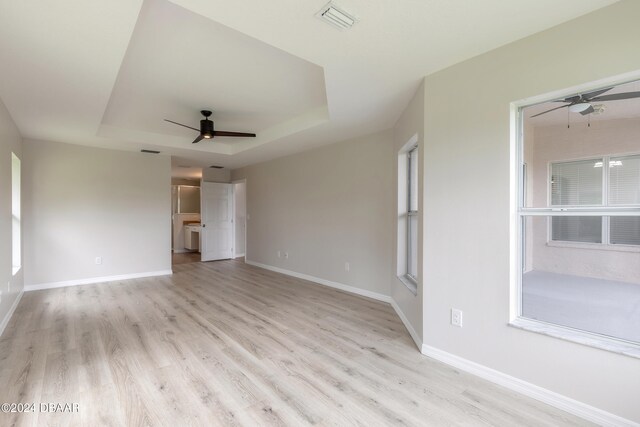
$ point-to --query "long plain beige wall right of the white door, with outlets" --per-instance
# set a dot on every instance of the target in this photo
(325, 207)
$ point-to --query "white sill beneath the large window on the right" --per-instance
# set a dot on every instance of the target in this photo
(602, 342)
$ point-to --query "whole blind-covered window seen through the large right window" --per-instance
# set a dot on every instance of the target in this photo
(581, 184)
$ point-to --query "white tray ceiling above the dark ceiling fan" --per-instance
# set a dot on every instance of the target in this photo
(107, 73)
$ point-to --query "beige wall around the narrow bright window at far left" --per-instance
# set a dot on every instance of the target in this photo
(10, 142)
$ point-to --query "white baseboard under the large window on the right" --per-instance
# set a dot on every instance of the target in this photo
(549, 397)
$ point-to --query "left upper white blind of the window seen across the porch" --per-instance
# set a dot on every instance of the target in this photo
(576, 183)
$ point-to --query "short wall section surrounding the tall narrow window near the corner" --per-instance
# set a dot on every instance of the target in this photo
(410, 123)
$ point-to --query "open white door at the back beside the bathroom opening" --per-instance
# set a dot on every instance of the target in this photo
(216, 213)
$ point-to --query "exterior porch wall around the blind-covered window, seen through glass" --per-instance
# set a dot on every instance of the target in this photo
(559, 143)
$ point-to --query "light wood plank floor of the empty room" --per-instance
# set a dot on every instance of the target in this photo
(225, 343)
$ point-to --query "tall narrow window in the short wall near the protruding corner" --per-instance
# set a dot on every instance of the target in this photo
(412, 214)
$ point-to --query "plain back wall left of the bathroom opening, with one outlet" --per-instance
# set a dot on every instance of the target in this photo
(84, 202)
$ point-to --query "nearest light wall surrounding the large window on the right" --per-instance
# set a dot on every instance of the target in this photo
(467, 205)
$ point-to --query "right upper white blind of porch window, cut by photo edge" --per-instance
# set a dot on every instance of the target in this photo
(624, 180)
